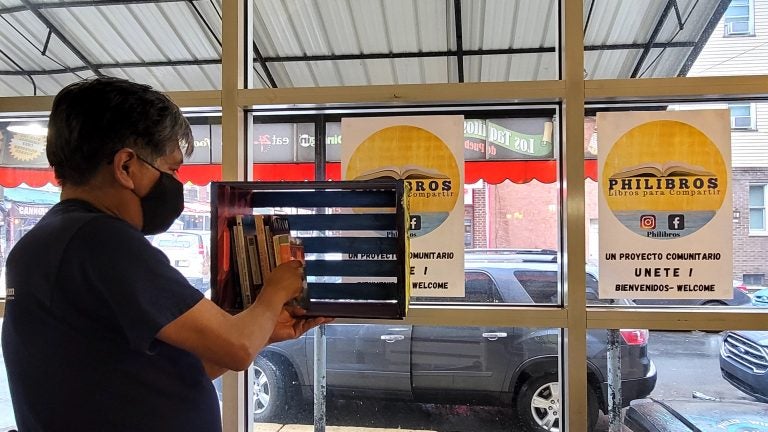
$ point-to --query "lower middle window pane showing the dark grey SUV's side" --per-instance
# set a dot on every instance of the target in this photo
(380, 376)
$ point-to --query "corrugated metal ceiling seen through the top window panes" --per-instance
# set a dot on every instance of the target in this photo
(176, 45)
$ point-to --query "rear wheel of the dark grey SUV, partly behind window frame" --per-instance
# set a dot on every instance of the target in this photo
(538, 404)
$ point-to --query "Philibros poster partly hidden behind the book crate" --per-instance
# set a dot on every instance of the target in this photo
(428, 153)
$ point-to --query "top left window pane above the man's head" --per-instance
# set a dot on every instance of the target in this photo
(171, 46)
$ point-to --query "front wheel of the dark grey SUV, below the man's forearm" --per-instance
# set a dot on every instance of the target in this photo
(270, 392)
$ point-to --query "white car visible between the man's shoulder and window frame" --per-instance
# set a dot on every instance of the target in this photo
(189, 253)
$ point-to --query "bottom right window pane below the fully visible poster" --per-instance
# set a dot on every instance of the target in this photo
(704, 381)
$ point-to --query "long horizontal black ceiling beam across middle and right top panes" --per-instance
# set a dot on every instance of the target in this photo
(465, 53)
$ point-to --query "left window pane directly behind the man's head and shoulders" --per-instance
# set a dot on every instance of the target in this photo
(27, 192)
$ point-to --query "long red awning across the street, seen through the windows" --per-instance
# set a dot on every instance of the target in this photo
(493, 172)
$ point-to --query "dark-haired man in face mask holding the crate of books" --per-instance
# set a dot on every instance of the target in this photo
(100, 331)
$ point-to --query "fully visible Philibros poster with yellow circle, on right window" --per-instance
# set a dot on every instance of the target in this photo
(665, 205)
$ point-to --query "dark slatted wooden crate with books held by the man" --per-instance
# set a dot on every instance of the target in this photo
(352, 237)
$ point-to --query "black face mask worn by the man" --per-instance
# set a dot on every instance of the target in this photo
(162, 204)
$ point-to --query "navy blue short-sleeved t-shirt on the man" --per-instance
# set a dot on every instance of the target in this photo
(86, 296)
